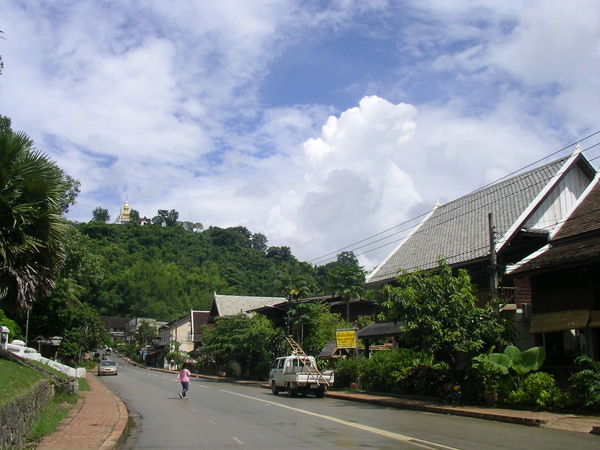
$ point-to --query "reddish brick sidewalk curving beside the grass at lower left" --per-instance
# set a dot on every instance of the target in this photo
(98, 420)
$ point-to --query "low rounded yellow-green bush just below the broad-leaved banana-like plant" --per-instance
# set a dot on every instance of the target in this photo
(539, 389)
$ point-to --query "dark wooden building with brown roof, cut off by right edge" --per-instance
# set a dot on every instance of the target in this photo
(561, 281)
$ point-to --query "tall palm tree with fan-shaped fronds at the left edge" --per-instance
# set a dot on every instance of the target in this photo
(32, 230)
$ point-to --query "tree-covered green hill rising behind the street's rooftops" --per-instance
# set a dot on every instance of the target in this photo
(163, 272)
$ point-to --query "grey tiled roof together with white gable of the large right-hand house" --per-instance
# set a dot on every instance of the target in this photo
(524, 209)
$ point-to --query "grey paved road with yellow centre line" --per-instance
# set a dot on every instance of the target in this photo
(231, 416)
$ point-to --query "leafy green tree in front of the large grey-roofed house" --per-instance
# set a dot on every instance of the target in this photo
(439, 314)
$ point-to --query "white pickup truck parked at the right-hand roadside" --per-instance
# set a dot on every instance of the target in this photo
(299, 374)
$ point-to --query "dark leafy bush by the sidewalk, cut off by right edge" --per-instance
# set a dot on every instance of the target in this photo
(584, 386)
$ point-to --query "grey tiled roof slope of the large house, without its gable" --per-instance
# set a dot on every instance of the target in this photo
(459, 230)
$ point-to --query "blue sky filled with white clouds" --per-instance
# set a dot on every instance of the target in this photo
(315, 123)
